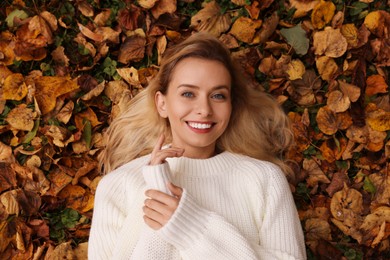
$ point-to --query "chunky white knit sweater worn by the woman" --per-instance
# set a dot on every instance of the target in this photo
(232, 207)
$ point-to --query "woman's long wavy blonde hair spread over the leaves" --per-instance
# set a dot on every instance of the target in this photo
(258, 126)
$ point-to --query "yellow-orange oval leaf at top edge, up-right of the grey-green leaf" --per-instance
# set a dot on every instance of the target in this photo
(322, 14)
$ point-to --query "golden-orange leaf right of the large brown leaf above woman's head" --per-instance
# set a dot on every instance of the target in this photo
(244, 29)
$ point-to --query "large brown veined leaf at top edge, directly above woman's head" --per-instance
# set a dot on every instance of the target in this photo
(211, 19)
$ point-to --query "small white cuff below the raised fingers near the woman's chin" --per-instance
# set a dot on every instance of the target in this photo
(157, 176)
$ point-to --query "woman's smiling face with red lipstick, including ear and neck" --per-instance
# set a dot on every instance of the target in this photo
(197, 105)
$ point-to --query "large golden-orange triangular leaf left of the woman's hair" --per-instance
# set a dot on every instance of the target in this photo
(49, 88)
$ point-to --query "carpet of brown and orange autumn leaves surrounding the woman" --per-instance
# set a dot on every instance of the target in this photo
(67, 68)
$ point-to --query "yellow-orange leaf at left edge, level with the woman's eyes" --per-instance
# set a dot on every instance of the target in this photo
(14, 87)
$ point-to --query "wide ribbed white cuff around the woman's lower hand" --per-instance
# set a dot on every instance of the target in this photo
(186, 225)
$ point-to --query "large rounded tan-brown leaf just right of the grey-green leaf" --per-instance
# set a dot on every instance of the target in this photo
(329, 42)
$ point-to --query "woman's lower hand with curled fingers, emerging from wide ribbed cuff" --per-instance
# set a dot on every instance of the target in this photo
(159, 207)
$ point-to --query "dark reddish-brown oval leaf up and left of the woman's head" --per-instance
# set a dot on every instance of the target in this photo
(133, 49)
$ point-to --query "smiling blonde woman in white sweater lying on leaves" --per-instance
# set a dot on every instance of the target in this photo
(205, 150)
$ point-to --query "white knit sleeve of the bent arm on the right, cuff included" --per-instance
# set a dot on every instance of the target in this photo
(202, 234)
